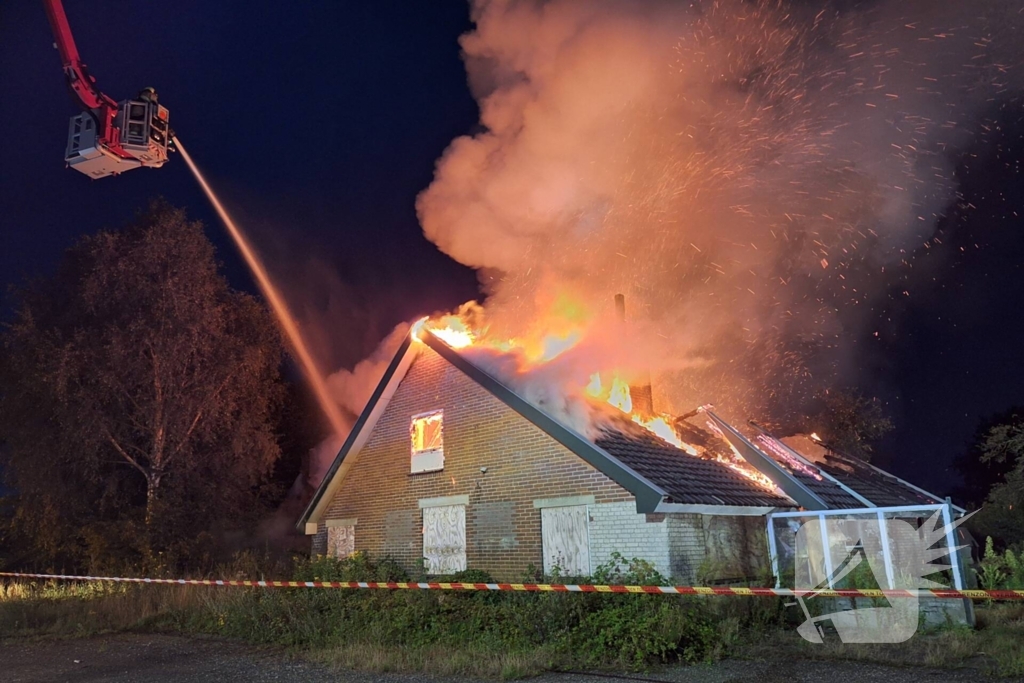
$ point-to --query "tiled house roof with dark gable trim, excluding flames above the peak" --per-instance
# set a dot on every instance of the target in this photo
(662, 478)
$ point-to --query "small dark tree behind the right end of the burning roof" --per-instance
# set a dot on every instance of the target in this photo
(850, 423)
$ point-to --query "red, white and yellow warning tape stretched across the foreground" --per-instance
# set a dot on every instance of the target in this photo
(558, 588)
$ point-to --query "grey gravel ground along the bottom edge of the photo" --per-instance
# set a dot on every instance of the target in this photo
(178, 660)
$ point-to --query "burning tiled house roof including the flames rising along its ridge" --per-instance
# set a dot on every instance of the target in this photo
(669, 464)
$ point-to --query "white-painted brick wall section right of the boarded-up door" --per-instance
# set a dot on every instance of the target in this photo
(618, 528)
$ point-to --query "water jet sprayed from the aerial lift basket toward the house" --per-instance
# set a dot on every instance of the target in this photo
(338, 422)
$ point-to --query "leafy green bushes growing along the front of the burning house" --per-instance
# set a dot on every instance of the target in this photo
(580, 629)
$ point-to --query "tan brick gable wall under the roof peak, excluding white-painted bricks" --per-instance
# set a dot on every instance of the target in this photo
(524, 464)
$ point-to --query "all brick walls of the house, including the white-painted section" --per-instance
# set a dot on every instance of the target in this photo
(524, 465)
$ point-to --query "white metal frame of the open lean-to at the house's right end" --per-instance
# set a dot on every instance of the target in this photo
(948, 518)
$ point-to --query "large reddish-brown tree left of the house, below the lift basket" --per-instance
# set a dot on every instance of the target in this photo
(139, 391)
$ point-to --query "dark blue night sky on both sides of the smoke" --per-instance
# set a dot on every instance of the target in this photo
(319, 123)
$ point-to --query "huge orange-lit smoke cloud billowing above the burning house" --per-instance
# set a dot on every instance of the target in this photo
(754, 177)
